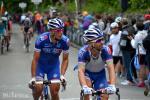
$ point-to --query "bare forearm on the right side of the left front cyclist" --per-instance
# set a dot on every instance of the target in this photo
(65, 61)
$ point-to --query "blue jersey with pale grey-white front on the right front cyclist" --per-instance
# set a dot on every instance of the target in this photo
(94, 64)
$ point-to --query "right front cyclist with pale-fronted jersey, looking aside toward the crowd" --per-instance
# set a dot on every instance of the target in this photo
(92, 59)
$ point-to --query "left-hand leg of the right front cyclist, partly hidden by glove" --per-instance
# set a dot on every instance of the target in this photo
(89, 83)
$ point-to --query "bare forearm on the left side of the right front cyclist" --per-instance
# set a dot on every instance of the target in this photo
(81, 71)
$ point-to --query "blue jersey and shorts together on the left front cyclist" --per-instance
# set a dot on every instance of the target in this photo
(49, 55)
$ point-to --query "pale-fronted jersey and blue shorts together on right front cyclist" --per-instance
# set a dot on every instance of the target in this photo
(95, 67)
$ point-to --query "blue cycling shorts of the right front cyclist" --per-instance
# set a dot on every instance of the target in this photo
(98, 79)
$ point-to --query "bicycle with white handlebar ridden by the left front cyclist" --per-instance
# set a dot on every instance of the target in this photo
(45, 92)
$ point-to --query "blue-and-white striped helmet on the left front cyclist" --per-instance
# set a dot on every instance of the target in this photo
(55, 23)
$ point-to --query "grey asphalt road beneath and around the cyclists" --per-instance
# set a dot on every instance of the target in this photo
(15, 74)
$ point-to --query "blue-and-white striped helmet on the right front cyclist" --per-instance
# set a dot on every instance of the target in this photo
(92, 34)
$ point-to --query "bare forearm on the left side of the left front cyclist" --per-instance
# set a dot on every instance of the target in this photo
(34, 63)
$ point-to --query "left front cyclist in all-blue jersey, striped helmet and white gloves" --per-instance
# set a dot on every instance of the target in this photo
(48, 48)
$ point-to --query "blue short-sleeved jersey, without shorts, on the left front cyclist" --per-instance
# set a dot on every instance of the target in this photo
(50, 52)
